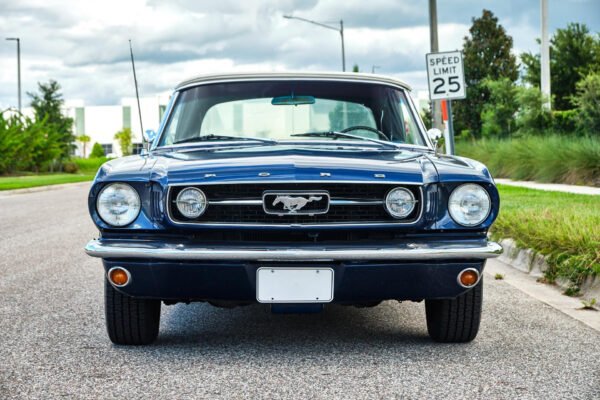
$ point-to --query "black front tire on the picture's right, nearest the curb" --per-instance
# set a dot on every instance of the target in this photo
(455, 320)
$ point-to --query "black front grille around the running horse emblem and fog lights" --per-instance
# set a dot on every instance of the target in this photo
(372, 211)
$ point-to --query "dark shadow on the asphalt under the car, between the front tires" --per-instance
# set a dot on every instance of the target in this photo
(337, 328)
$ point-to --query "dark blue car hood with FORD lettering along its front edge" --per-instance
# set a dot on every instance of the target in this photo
(290, 163)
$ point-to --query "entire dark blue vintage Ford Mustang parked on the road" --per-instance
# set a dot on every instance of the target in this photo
(295, 190)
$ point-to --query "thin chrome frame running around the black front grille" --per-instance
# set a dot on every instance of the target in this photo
(285, 225)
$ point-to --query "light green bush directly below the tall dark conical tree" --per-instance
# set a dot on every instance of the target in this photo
(498, 113)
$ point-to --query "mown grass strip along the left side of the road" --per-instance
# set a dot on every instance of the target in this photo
(87, 170)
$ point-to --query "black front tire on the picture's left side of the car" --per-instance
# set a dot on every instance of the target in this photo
(130, 320)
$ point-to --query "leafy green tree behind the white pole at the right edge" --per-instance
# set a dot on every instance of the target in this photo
(574, 53)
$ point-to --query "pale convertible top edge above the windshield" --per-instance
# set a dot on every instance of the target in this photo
(262, 76)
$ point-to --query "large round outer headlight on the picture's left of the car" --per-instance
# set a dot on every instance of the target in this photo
(118, 204)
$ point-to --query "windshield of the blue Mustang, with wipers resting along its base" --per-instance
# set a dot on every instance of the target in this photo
(285, 110)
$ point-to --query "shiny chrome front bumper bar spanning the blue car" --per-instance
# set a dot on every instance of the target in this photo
(404, 252)
